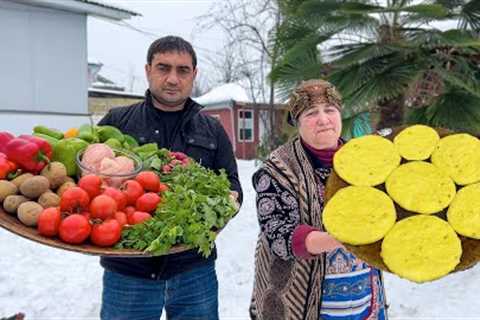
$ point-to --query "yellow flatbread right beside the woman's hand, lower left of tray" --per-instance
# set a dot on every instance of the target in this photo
(359, 215)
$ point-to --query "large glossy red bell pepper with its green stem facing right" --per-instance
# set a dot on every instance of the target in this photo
(27, 154)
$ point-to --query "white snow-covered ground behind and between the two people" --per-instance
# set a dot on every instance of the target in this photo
(47, 283)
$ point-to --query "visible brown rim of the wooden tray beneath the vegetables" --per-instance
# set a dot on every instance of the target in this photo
(12, 224)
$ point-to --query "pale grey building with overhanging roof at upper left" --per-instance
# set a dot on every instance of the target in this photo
(44, 58)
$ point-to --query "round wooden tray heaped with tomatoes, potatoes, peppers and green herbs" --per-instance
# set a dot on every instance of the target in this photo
(97, 192)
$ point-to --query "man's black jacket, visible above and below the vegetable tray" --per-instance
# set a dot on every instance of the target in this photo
(200, 137)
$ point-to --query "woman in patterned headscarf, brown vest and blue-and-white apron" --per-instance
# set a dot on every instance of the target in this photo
(301, 272)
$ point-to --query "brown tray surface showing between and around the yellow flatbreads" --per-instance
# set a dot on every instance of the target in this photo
(371, 253)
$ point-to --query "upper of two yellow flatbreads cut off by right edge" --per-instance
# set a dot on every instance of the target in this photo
(458, 156)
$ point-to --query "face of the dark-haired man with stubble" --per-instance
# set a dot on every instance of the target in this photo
(170, 77)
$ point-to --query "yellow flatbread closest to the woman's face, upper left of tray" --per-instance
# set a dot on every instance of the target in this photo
(366, 161)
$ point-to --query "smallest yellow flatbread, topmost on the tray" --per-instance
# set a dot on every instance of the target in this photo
(416, 142)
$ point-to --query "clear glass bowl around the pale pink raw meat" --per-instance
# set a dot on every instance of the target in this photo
(111, 180)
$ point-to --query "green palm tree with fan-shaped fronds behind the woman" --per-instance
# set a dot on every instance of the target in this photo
(416, 62)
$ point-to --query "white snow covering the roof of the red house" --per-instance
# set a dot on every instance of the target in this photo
(223, 93)
